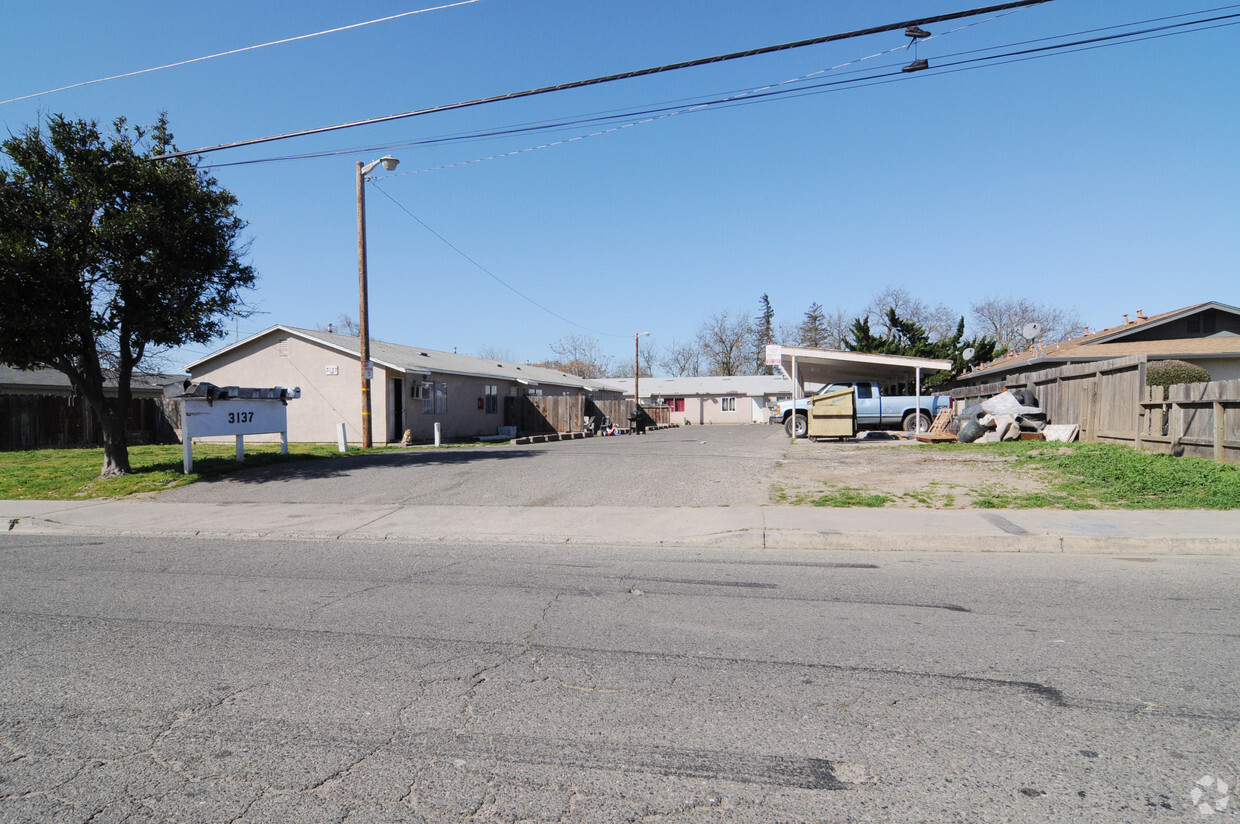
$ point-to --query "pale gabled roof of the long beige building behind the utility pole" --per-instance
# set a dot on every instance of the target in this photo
(420, 360)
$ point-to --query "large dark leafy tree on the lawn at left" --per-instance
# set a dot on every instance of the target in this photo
(108, 257)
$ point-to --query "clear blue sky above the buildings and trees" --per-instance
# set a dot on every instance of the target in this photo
(1105, 180)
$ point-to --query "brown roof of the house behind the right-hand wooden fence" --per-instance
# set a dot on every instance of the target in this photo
(1110, 344)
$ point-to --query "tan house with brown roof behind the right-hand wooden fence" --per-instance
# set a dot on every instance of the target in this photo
(1207, 335)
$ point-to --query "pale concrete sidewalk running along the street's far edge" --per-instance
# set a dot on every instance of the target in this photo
(1040, 531)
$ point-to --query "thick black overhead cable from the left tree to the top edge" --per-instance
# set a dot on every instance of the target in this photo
(611, 79)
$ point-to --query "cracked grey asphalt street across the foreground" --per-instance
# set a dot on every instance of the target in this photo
(228, 681)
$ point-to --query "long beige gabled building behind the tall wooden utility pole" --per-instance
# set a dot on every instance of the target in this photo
(412, 388)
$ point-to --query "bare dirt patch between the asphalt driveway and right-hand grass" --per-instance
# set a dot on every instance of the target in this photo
(900, 474)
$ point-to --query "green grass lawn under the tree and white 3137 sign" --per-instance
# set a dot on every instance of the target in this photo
(63, 475)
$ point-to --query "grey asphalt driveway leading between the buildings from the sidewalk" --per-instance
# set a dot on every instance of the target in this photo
(691, 467)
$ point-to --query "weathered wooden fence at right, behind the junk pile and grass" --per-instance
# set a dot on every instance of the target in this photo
(1112, 403)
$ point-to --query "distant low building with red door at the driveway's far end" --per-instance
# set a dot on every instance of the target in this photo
(714, 400)
